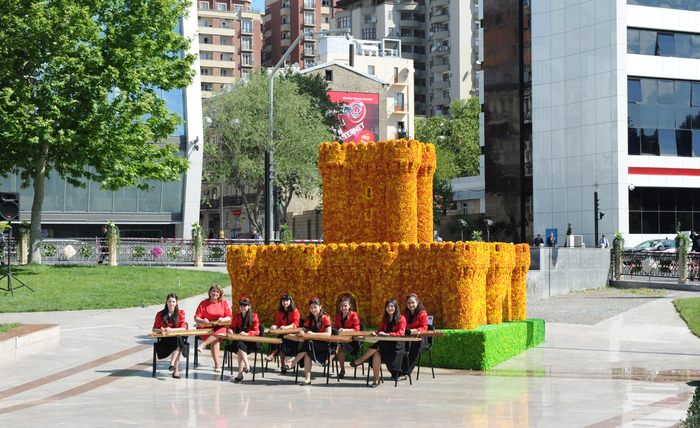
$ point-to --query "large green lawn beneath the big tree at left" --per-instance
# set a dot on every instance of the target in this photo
(66, 288)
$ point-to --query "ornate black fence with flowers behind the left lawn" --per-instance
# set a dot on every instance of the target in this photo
(133, 251)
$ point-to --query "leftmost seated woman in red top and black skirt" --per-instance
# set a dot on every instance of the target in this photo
(171, 318)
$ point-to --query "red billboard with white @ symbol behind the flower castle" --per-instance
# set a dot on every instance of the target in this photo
(360, 116)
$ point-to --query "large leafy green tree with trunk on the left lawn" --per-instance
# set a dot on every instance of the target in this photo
(80, 93)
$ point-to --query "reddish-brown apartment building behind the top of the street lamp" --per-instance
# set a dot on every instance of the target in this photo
(285, 20)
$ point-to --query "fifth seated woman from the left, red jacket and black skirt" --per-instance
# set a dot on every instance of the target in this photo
(317, 323)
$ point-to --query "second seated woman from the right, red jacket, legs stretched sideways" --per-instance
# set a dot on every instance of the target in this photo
(393, 324)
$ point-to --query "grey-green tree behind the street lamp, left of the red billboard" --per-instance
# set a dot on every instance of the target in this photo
(239, 136)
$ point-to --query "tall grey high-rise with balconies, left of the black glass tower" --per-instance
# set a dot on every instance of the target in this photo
(441, 36)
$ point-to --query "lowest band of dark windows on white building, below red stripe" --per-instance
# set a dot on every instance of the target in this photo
(660, 209)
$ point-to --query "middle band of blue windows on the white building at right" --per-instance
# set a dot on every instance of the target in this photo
(663, 117)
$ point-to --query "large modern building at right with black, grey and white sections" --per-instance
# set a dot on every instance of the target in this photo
(606, 100)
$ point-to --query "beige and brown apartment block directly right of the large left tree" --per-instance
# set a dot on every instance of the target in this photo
(230, 40)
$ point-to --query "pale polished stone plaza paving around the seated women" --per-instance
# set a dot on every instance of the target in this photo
(629, 369)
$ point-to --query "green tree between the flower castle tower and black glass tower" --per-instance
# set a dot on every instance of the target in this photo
(456, 141)
